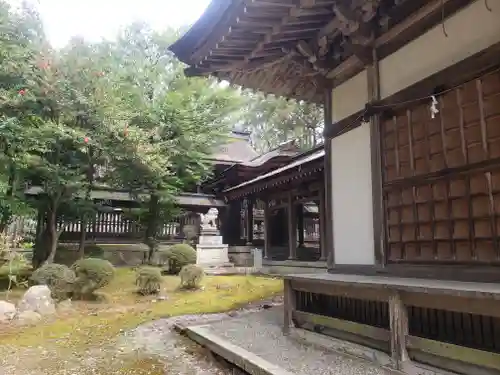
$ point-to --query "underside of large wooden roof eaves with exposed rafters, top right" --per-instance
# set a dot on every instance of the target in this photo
(298, 48)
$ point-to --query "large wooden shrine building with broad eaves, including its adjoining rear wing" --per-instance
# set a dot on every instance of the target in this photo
(410, 172)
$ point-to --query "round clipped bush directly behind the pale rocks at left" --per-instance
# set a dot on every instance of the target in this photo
(58, 277)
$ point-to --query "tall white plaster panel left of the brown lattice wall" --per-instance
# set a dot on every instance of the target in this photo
(352, 197)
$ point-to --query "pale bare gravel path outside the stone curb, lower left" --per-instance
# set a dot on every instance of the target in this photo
(155, 340)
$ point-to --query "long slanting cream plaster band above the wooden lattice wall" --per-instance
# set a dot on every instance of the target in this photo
(470, 31)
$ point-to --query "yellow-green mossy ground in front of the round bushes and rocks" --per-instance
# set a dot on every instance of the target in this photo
(90, 325)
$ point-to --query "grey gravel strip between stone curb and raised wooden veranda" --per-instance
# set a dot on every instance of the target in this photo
(260, 333)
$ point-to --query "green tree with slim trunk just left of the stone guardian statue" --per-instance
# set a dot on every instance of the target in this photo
(184, 119)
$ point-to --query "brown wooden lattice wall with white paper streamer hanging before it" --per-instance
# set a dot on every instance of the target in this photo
(441, 177)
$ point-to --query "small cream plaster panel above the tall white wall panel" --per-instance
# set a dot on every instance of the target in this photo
(349, 97)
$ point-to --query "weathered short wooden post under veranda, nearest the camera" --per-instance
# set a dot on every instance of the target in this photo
(399, 330)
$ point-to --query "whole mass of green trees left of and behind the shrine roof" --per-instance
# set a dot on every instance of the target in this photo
(117, 113)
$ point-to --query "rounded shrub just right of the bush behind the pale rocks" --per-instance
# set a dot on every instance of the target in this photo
(91, 274)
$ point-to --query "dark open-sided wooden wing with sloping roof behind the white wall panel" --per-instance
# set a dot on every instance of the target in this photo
(282, 213)
